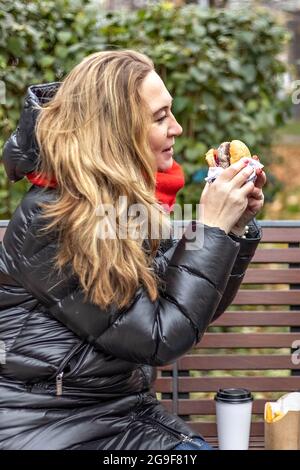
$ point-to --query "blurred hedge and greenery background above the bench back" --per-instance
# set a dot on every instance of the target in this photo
(231, 66)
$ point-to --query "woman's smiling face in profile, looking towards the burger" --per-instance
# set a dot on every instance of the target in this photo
(164, 127)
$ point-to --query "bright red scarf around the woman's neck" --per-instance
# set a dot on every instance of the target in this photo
(168, 183)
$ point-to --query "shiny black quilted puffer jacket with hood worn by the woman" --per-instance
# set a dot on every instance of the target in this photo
(74, 373)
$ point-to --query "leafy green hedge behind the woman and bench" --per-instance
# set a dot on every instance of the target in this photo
(220, 66)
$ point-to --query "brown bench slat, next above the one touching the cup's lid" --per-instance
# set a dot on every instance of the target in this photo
(232, 362)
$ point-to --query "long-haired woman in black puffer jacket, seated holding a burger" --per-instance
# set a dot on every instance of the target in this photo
(86, 318)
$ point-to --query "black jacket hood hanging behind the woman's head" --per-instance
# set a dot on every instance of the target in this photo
(21, 153)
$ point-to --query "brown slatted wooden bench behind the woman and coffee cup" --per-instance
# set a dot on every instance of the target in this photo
(250, 346)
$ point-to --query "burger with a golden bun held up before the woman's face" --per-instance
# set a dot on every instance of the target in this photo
(227, 153)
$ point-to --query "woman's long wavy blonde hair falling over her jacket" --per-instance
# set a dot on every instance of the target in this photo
(93, 137)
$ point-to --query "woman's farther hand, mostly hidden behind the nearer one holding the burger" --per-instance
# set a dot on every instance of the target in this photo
(255, 203)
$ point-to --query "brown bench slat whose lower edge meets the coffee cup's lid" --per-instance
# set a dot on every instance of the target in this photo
(211, 384)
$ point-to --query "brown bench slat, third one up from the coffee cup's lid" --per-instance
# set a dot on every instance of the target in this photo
(251, 340)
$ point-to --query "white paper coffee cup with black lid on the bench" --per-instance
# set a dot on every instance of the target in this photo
(233, 411)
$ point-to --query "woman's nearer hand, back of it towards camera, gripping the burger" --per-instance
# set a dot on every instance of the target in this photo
(225, 201)
